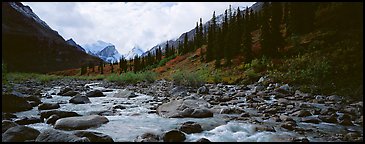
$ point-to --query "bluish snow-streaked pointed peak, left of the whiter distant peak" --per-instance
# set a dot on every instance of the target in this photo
(109, 54)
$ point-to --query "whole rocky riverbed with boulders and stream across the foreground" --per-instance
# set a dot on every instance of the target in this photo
(100, 111)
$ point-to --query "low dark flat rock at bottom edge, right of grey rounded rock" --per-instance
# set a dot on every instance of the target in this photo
(94, 136)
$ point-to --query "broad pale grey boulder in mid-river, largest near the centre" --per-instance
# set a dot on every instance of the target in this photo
(185, 108)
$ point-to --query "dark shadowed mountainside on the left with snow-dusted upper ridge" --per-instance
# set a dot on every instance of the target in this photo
(30, 45)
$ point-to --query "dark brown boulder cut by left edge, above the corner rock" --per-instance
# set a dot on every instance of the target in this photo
(14, 103)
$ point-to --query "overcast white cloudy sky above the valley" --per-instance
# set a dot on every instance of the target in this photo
(126, 24)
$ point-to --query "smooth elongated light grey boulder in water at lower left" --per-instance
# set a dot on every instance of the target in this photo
(80, 122)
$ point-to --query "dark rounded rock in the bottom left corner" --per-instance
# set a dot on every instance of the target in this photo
(19, 134)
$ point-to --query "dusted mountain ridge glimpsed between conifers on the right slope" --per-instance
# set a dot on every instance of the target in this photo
(219, 20)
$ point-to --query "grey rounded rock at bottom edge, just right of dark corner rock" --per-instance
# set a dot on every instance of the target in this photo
(52, 135)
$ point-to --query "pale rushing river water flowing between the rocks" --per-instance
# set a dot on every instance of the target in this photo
(137, 119)
